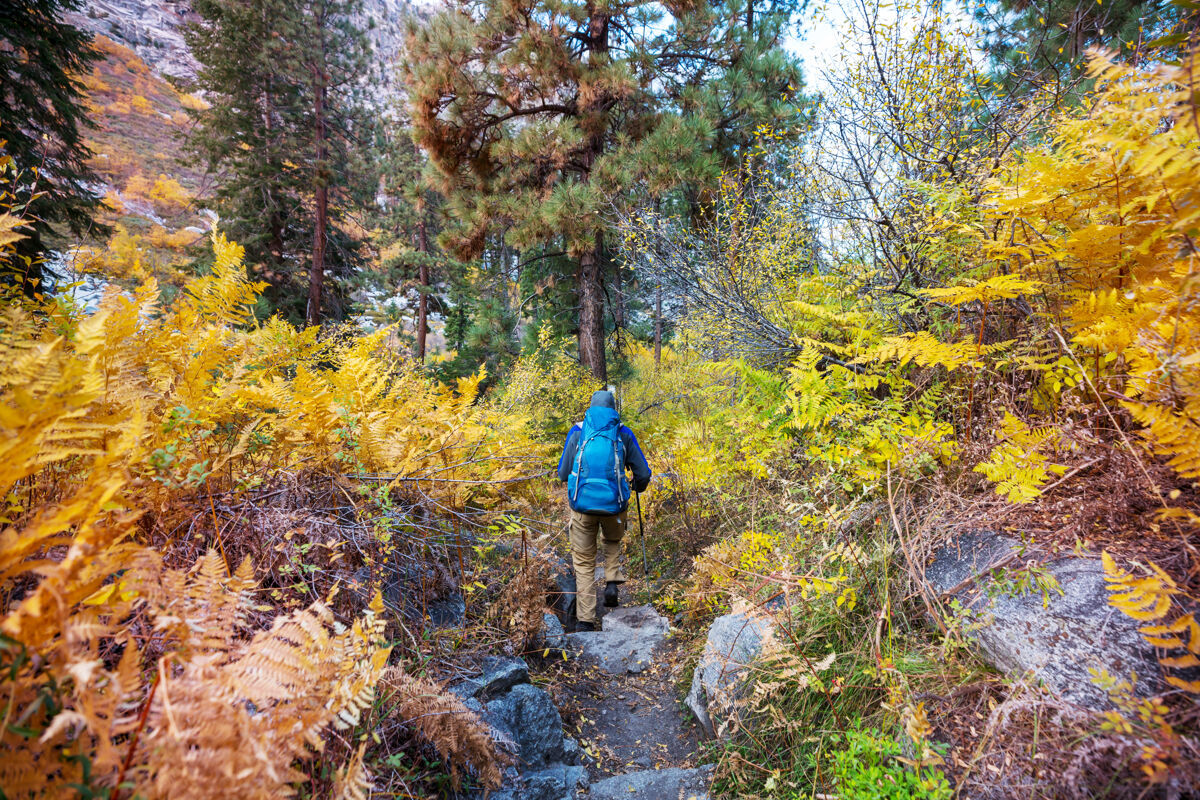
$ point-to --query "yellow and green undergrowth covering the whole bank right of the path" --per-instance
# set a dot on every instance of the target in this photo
(1055, 353)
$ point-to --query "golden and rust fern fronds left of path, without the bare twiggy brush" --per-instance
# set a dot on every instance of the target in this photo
(131, 410)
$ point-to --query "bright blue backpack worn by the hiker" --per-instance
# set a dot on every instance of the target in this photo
(597, 484)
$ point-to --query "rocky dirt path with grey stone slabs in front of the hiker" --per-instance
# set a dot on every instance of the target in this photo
(597, 719)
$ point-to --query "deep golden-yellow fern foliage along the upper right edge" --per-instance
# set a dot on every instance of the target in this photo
(1103, 215)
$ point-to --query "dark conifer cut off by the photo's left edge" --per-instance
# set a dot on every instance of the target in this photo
(43, 125)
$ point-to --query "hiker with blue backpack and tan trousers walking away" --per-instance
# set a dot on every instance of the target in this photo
(596, 456)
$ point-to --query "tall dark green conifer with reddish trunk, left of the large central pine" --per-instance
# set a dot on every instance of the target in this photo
(284, 136)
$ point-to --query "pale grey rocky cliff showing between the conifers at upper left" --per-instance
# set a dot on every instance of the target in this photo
(154, 31)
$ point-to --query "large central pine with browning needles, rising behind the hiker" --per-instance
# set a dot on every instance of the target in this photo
(543, 119)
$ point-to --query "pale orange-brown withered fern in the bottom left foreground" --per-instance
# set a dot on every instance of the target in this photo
(249, 715)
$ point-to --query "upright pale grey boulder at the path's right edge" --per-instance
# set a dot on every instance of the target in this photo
(721, 679)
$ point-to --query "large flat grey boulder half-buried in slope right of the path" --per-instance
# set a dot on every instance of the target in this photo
(1059, 642)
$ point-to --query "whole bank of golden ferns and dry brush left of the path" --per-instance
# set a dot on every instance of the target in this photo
(221, 539)
